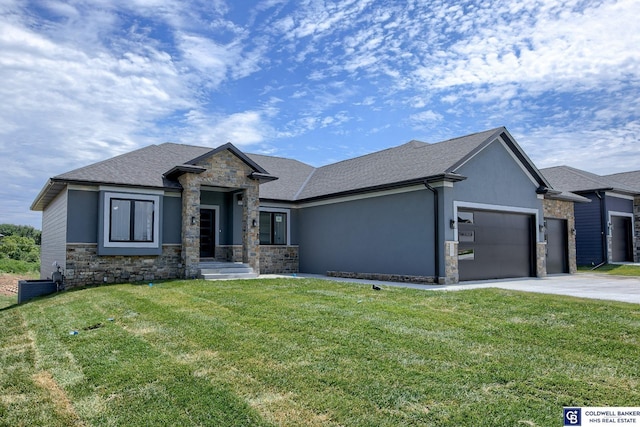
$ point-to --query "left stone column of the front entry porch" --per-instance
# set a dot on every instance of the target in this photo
(190, 224)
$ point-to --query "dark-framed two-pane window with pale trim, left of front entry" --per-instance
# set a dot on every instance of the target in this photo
(131, 220)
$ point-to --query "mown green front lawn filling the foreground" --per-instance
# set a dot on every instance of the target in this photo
(301, 352)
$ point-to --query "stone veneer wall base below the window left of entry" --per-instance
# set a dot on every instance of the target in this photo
(85, 267)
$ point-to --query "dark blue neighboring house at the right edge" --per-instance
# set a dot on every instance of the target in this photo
(604, 227)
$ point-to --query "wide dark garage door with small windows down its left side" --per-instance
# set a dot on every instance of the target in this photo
(495, 245)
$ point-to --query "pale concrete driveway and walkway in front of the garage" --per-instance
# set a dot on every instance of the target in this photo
(583, 285)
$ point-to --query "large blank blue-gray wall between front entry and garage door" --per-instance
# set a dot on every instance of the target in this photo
(390, 234)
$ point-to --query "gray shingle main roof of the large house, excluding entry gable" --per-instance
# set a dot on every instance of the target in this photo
(414, 161)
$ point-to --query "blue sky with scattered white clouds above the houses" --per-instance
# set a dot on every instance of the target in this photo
(318, 81)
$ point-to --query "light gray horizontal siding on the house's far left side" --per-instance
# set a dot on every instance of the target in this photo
(54, 233)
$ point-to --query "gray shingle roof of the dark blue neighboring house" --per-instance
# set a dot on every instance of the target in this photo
(567, 178)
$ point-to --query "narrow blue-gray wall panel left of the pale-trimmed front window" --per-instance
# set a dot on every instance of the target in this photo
(82, 216)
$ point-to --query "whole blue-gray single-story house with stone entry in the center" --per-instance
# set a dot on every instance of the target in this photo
(468, 208)
